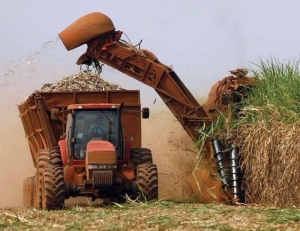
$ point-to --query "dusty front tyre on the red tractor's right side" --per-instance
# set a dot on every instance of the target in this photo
(147, 181)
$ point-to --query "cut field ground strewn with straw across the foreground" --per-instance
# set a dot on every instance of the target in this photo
(160, 215)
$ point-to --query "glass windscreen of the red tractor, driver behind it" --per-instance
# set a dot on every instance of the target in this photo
(94, 124)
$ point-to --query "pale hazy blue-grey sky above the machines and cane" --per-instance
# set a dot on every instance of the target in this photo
(202, 40)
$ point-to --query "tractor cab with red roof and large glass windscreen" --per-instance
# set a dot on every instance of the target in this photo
(93, 122)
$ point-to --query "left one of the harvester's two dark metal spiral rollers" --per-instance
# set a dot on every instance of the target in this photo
(219, 155)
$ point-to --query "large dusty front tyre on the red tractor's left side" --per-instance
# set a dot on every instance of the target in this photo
(53, 188)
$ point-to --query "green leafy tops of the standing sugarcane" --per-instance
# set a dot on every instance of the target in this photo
(276, 94)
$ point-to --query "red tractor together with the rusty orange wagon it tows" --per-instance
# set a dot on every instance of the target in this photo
(72, 160)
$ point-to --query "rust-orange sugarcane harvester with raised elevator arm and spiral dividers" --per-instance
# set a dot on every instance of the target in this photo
(104, 44)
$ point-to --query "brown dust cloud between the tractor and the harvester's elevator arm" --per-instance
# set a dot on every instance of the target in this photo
(173, 152)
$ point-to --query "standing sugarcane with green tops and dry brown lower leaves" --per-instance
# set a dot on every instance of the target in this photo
(269, 134)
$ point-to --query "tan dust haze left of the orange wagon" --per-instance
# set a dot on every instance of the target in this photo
(16, 162)
